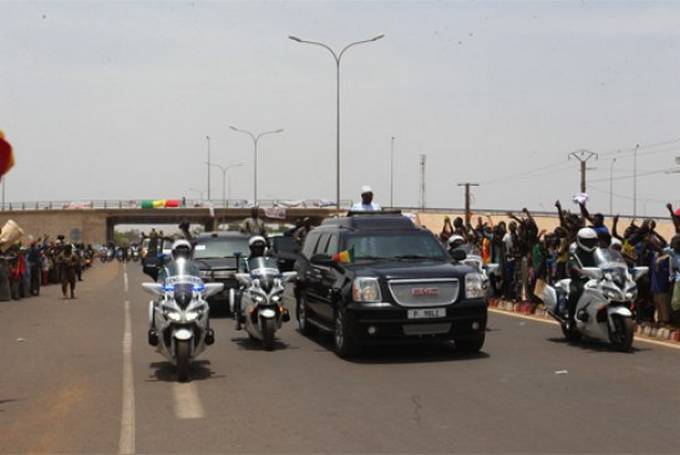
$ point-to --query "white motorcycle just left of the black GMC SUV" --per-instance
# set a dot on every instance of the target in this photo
(262, 307)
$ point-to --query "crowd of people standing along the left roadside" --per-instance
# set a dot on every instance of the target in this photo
(25, 269)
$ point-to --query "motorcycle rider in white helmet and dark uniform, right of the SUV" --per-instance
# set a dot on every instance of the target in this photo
(580, 256)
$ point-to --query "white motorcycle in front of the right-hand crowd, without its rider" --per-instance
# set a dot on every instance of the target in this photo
(603, 310)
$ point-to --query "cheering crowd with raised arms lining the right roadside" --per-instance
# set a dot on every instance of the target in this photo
(529, 257)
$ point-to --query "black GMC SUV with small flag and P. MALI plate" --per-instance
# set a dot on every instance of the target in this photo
(380, 279)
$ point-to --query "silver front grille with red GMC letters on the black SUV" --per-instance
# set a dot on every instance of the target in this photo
(424, 293)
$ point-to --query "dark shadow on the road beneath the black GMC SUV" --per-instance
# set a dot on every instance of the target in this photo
(408, 353)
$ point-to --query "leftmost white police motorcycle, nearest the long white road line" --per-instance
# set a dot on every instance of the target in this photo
(179, 316)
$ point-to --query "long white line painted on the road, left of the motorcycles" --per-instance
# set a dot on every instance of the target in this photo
(126, 444)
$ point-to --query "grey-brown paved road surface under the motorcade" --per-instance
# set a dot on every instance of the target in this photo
(61, 388)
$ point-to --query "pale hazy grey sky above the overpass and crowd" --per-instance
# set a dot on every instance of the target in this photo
(114, 100)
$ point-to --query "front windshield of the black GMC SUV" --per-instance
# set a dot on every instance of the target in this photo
(395, 245)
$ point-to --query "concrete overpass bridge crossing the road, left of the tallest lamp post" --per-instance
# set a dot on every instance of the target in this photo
(96, 225)
